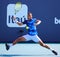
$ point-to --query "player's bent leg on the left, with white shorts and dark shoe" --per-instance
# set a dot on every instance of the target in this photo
(20, 39)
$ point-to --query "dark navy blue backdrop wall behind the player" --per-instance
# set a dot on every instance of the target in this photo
(48, 11)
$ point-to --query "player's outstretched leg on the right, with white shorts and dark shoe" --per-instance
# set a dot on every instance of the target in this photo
(37, 39)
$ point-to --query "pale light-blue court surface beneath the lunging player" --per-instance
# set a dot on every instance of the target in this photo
(28, 50)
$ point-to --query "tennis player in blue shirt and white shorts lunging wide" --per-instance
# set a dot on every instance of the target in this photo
(32, 33)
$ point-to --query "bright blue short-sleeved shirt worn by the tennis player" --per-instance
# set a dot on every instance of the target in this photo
(32, 28)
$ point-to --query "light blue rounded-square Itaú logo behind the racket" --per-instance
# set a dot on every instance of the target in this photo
(20, 16)
